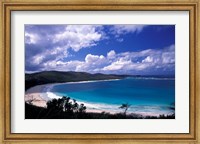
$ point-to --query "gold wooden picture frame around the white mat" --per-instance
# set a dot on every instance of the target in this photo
(193, 137)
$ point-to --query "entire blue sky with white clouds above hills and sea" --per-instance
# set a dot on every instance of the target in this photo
(108, 49)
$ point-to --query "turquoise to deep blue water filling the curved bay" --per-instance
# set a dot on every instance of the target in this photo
(149, 94)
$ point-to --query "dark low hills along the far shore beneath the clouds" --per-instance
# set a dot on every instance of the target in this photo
(46, 77)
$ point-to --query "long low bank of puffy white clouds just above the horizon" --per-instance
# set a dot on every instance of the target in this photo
(121, 63)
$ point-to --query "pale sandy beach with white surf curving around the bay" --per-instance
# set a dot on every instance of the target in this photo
(40, 94)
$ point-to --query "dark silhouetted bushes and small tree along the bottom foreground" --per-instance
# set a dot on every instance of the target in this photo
(65, 108)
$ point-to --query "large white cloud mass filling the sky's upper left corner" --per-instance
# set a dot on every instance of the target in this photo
(45, 45)
